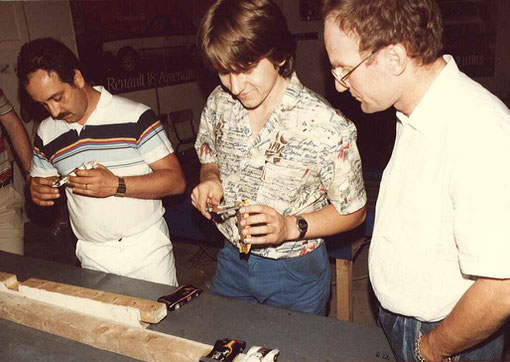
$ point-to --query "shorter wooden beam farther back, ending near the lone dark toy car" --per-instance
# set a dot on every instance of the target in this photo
(121, 308)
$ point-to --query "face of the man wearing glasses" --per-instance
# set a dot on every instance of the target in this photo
(366, 83)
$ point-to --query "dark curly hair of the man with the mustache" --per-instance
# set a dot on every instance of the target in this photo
(47, 54)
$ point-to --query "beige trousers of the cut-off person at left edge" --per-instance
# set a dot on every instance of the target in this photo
(11, 221)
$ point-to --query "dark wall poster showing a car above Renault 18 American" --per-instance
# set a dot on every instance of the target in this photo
(129, 45)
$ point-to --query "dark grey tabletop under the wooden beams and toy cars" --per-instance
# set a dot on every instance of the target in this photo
(298, 336)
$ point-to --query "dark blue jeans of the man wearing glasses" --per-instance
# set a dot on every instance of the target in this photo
(402, 332)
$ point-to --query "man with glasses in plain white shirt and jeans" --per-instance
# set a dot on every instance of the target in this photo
(439, 253)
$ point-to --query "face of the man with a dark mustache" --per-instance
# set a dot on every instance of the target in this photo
(60, 99)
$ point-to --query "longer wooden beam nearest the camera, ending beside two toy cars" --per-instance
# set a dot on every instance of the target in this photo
(130, 341)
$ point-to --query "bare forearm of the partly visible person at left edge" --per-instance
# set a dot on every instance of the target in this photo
(18, 137)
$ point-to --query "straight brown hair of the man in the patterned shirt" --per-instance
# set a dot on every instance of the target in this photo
(235, 35)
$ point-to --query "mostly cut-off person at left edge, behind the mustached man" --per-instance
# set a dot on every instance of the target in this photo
(11, 214)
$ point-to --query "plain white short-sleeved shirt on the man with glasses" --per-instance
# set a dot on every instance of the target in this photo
(443, 207)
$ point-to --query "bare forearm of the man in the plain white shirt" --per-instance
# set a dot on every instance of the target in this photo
(482, 310)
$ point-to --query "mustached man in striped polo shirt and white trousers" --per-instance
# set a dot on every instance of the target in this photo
(115, 208)
